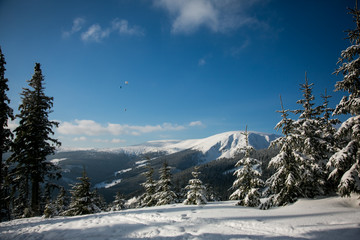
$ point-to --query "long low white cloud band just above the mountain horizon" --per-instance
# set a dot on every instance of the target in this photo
(92, 128)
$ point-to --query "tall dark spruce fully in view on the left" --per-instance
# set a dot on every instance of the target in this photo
(33, 143)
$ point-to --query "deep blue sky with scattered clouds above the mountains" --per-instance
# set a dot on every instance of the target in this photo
(194, 68)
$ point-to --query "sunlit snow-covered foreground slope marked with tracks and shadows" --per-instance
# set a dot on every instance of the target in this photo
(329, 218)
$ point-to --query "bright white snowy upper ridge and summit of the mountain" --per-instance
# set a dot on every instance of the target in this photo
(223, 145)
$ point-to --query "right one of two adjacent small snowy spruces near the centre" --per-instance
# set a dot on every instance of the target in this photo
(164, 195)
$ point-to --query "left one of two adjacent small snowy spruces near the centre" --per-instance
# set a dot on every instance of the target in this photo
(148, 198)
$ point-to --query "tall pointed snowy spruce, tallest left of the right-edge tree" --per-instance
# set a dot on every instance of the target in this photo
(308, 135)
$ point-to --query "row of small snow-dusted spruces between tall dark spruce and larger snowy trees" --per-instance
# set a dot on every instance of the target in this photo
(83, 200)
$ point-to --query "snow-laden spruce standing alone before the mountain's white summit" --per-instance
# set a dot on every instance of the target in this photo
(248, 183)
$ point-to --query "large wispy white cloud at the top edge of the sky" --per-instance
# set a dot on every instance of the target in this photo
(219, 16)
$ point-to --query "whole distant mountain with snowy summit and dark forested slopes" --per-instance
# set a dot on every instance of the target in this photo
(121, 169)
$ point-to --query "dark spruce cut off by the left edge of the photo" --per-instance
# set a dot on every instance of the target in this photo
(6, 113)
